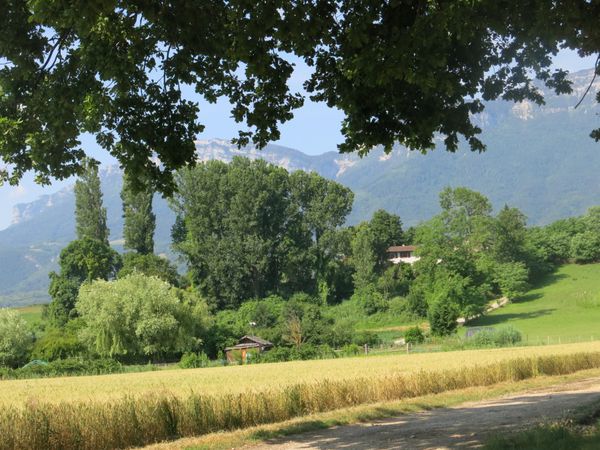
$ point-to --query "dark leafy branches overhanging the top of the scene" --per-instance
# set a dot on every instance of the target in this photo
(401, 71)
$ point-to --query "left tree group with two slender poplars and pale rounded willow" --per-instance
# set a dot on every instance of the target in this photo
(112, 305)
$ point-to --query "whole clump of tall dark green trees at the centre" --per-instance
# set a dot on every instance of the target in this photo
(249, 228)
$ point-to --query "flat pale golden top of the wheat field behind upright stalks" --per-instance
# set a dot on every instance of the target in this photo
(238, 379)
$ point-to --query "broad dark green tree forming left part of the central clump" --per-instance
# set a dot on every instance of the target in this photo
(240, 230)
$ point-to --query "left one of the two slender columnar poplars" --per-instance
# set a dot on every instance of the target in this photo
(90, 214)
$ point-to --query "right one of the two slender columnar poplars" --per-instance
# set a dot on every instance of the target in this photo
(139, 220)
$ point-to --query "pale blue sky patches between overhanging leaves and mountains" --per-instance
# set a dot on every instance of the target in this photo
(315, 129)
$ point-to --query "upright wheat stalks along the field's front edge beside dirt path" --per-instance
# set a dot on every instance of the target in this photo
(137, 421)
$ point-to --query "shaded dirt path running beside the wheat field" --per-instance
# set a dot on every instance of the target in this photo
(463, 426)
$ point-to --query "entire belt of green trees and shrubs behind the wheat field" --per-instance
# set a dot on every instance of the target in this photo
(267, 253)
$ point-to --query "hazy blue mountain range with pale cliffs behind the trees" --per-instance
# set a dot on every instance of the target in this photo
(539, 159)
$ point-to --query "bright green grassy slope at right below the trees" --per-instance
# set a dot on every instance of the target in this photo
(566, 306)
